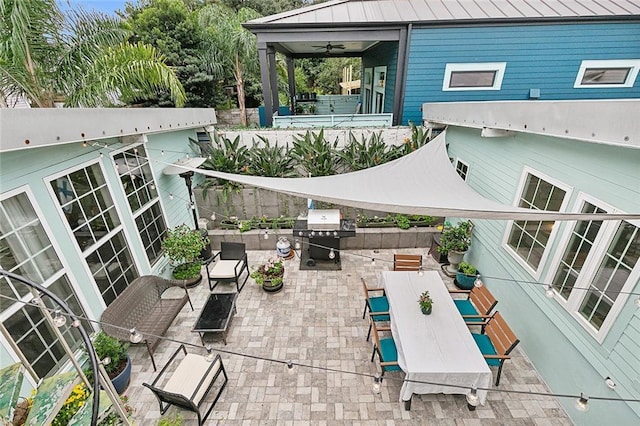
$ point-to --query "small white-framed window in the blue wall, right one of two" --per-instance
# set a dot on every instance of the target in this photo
(613, 73)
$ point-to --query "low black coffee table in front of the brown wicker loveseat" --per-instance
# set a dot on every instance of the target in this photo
(216, 314)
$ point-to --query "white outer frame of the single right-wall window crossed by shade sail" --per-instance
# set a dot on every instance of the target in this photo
(536, 273)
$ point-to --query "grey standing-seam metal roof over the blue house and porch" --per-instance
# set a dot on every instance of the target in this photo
(351, 12)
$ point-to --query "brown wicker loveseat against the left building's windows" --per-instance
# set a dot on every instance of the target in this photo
(149, 304)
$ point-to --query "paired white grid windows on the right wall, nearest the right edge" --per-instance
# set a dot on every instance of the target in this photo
(598, 267)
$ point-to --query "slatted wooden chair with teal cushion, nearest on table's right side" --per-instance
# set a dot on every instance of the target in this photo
(496, 342)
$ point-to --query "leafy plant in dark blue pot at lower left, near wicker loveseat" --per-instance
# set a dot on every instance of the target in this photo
(118, 366)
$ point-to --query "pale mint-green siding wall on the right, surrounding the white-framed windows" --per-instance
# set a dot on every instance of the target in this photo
(569, 359)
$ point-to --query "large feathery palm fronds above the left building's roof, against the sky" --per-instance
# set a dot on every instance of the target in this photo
(80, 57)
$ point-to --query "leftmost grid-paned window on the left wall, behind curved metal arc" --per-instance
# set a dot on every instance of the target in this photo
(27, 251)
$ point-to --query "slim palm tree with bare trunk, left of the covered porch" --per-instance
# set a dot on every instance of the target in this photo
(231, 47)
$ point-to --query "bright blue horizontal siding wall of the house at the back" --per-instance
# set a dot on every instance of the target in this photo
(545, 57)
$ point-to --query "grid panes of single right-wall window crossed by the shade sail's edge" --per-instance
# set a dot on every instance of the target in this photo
(528, 239)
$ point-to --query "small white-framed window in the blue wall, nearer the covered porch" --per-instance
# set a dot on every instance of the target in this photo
(474, 76)
